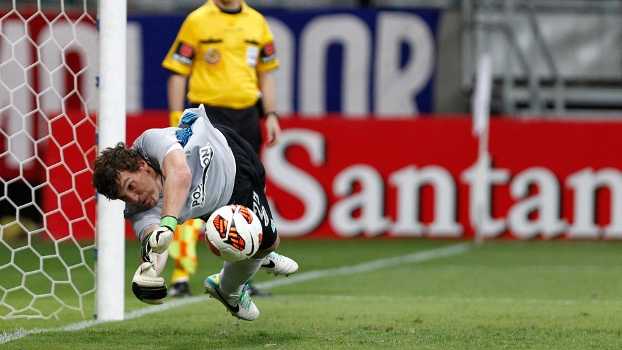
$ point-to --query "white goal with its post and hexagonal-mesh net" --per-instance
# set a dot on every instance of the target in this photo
(62, 100)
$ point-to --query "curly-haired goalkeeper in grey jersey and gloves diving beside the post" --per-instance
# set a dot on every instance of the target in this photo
(175, 174)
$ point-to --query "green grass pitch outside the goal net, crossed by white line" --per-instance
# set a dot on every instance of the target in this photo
(502, 295)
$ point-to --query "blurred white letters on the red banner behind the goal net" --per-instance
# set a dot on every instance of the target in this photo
(54, 43)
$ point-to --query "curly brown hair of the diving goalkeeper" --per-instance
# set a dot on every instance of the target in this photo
(109, 164)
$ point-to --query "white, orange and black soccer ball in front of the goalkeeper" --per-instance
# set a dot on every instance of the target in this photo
(233, 233)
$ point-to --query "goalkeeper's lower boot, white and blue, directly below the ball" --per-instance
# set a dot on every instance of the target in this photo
(239, 305)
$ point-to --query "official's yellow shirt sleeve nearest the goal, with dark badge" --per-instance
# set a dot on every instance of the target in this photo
(181, 54)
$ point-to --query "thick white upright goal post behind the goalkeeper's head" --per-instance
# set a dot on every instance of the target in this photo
(111, 129)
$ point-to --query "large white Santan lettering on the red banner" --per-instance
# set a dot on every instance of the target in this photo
(369, 202)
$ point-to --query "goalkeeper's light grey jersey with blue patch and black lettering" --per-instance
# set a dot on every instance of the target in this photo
(210, 160)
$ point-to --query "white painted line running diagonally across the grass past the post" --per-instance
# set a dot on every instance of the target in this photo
(300, 277)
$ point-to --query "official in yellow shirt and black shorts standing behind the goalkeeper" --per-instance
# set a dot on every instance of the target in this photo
(223, 57)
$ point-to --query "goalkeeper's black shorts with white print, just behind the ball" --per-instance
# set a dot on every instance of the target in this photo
(250, 182)
